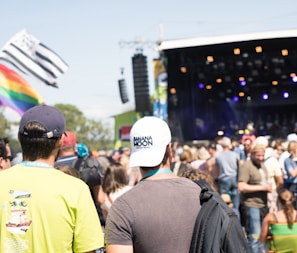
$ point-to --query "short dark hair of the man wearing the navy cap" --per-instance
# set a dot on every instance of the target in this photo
(36, 147)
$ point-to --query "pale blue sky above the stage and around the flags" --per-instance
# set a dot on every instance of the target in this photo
(86, 34)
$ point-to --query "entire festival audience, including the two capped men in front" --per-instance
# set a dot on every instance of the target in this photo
(126, 200)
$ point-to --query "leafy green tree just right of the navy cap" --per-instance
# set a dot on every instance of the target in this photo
(93, 133)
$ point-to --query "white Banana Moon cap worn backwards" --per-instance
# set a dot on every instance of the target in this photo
(149, 138)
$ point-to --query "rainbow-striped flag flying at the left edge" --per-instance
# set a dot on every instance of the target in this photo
(16, 92)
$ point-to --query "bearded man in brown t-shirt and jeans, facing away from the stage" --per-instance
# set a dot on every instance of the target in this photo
(254, 190)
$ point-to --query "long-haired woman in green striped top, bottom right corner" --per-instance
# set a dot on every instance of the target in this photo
(279, 229)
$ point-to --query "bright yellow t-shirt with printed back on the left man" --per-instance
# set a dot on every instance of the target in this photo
(46, 210)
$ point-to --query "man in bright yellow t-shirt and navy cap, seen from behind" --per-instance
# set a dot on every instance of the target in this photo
(44, 209)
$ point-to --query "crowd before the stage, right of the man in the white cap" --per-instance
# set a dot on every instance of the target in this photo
(253, 173)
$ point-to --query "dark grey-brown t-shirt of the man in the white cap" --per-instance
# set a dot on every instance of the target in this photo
(155, 216)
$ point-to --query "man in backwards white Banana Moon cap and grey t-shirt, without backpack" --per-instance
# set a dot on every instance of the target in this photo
(158, 214)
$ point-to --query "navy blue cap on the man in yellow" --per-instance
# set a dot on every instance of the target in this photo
(49, 117)
